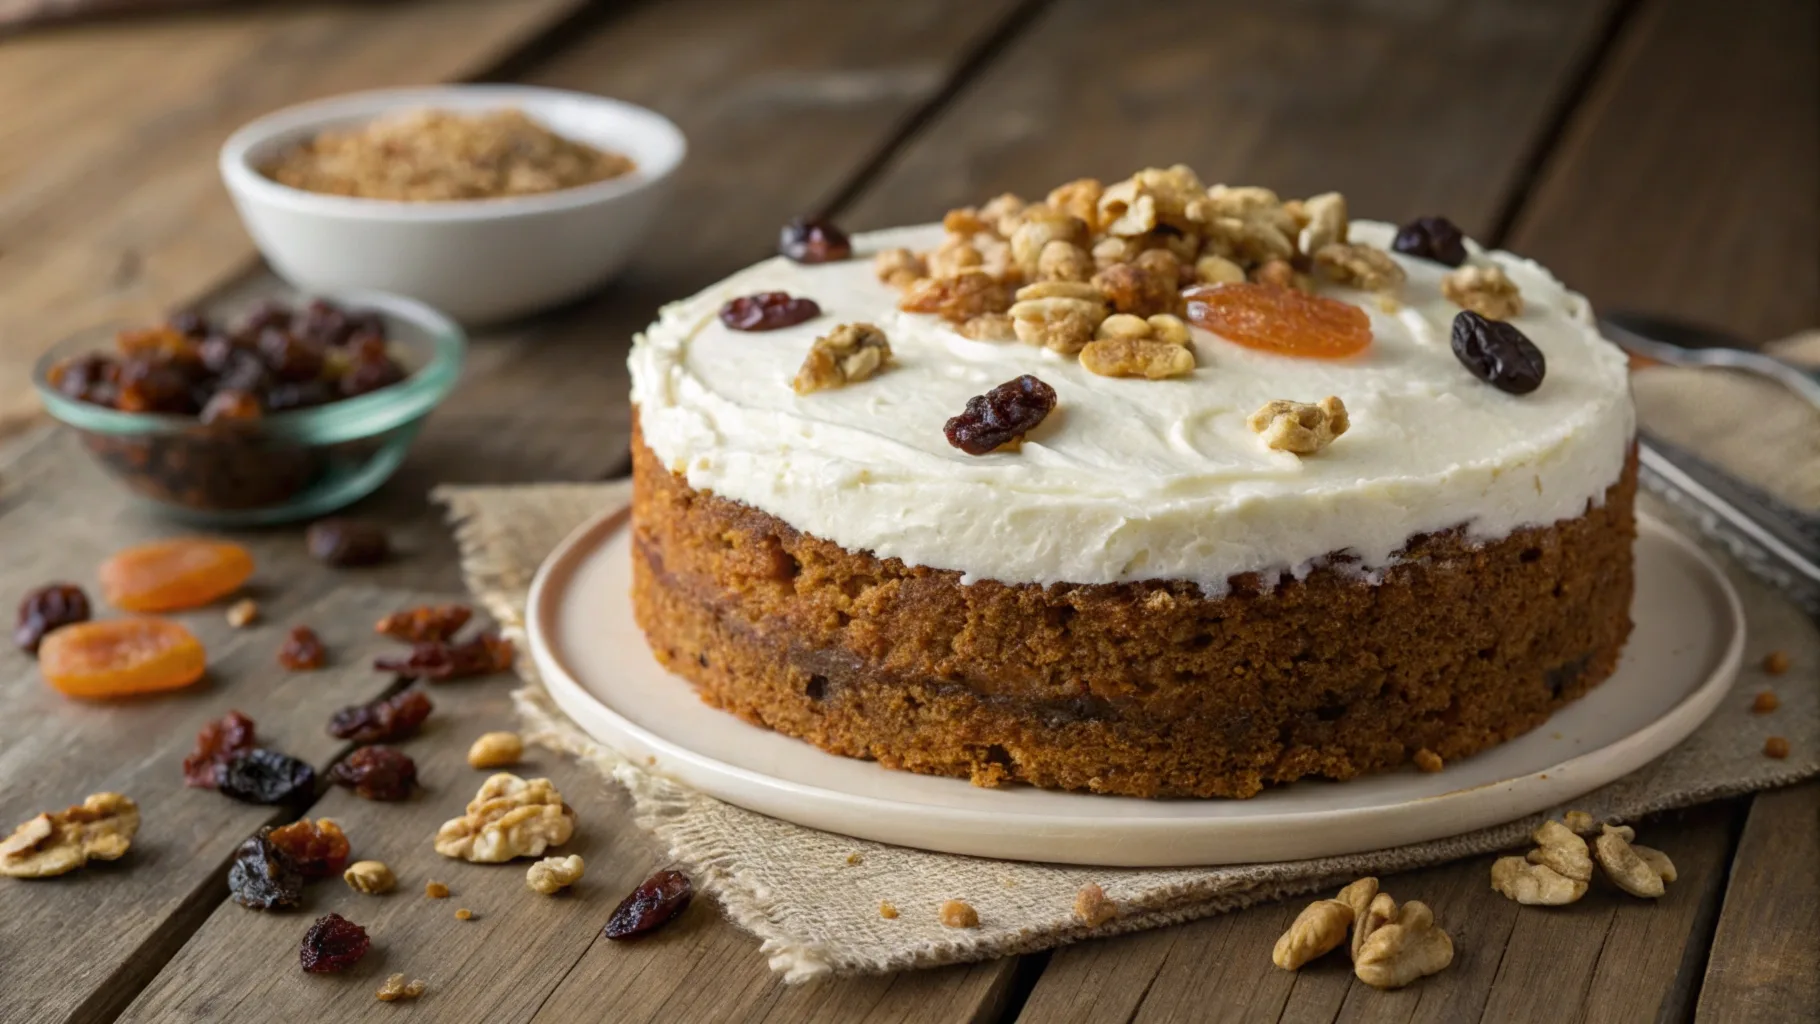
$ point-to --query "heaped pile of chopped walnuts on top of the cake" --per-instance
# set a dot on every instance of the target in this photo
(1124, 248)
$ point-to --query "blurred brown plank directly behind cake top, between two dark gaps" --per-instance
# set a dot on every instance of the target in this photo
(1406, 108)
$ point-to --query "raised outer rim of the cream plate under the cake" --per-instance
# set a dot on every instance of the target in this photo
(1630, 752)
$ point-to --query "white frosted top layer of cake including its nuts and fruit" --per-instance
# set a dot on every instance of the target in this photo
(1240, 452)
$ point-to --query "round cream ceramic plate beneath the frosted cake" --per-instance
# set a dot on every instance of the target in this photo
(1679, 665)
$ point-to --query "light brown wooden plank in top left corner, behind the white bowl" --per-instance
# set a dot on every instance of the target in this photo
(110, 203)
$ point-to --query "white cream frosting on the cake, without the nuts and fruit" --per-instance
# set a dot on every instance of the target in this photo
(1133, 479)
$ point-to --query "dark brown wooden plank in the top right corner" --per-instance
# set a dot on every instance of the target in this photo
(1688, 185)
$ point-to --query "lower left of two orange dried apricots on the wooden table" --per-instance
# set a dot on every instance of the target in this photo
(121, 658)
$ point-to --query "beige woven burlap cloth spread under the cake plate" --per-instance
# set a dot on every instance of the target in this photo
(816, 905)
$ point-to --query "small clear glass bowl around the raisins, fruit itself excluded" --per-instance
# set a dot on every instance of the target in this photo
(308, 454)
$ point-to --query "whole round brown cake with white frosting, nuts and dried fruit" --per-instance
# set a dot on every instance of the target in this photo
(1146, 488)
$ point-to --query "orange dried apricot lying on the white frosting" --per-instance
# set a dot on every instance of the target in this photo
(1280, 319)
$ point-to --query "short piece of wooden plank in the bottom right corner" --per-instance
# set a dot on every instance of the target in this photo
(1766, 954)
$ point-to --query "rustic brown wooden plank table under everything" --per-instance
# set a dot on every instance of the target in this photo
(1657, 154)
